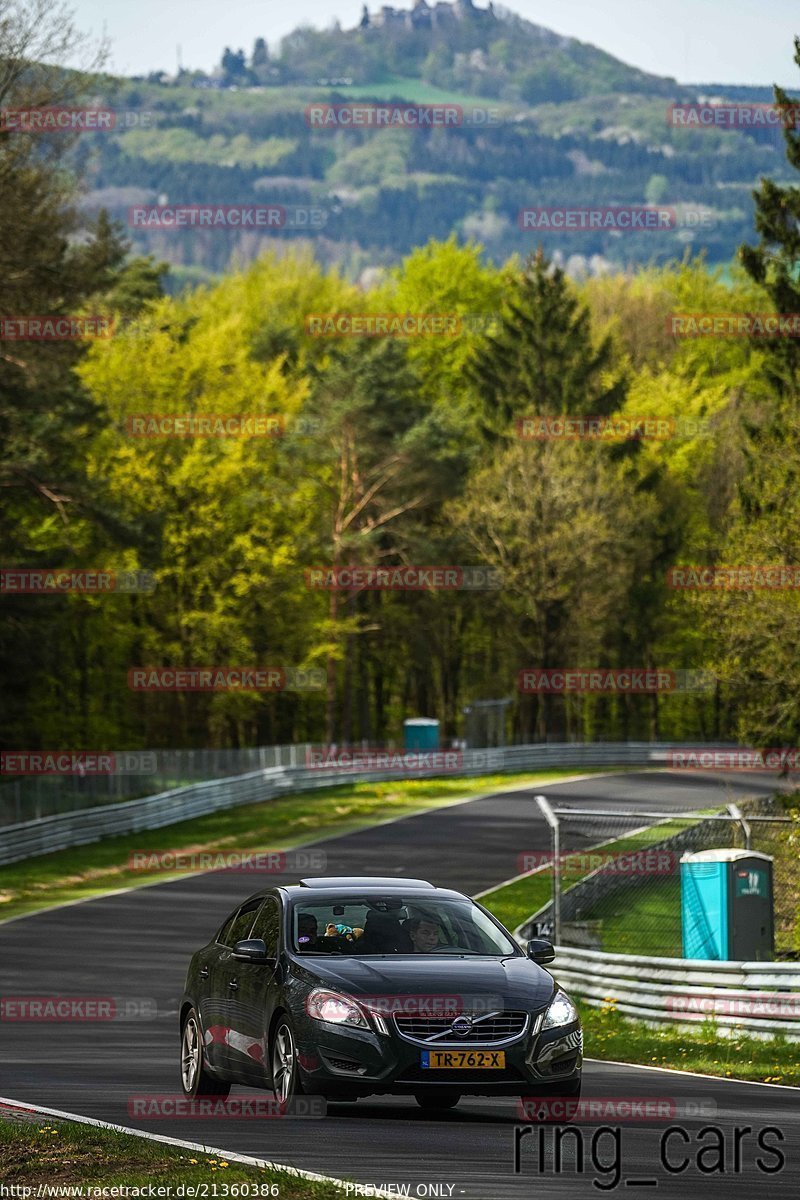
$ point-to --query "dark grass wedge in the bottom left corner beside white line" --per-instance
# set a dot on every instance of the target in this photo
(67, 1154)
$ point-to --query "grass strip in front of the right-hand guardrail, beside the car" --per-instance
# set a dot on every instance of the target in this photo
(611, 1036)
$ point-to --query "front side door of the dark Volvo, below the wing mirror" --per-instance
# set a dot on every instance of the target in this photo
(255, 998)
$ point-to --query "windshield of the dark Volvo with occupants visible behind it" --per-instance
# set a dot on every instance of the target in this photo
(407, 925)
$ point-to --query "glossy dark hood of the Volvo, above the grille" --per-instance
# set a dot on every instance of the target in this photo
(509, 983)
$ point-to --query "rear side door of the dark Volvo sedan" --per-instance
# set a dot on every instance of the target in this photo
(219, 1013)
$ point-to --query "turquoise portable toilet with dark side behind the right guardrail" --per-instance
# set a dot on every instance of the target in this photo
(726, 899)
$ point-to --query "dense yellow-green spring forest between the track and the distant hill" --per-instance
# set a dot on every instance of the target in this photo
(395, 452)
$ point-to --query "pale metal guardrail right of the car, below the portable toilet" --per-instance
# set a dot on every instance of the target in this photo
(762, 999)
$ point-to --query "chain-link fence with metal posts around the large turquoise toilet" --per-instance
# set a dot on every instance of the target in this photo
(615, 878)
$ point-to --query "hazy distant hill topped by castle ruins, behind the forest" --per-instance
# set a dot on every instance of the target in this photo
(570, 127)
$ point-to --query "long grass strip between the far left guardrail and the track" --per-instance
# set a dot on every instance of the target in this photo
(272, 826)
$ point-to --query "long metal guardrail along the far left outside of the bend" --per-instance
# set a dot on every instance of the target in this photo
(64, 830)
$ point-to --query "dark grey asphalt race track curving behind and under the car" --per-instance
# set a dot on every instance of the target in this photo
(139, 944)
